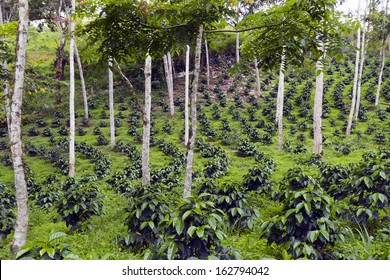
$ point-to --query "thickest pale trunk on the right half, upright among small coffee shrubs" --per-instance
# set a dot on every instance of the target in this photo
(317, 114)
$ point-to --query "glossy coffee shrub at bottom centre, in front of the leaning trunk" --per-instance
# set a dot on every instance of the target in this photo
(193, 230)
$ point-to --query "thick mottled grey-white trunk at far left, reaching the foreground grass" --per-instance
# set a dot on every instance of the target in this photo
(15, 136)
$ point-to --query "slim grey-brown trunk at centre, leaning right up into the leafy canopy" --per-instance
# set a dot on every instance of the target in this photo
(192, 134)
